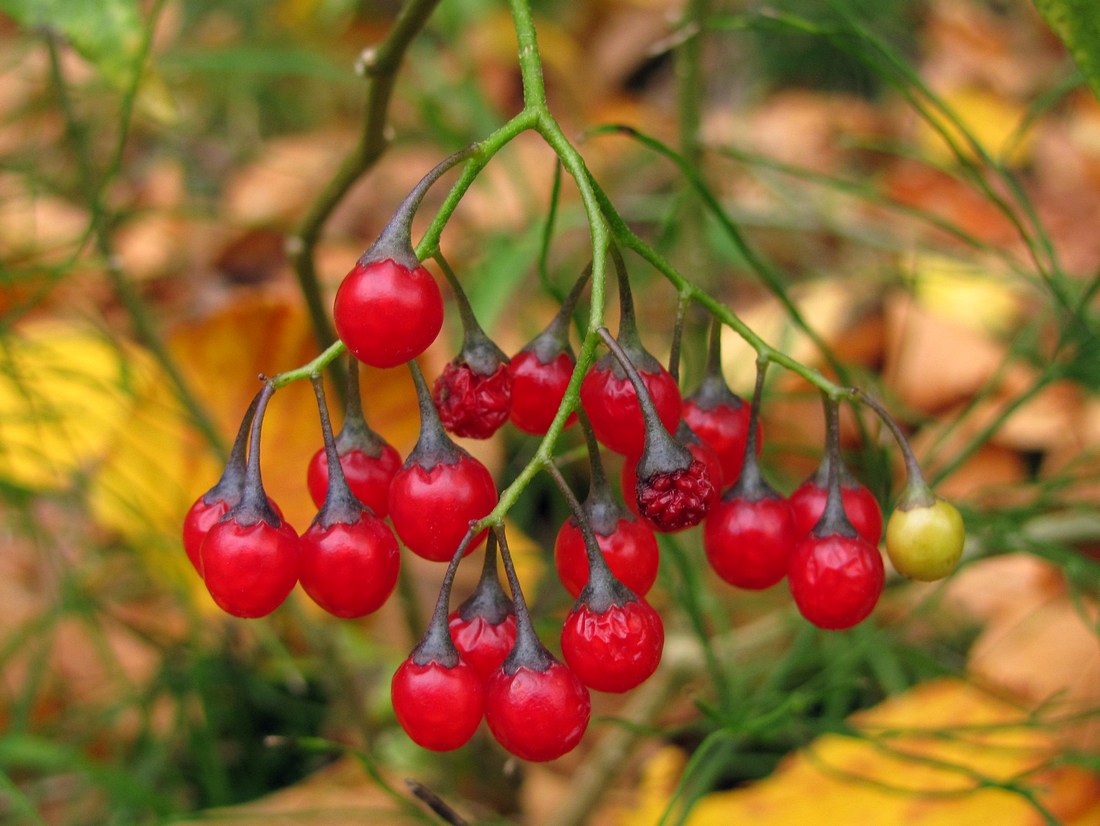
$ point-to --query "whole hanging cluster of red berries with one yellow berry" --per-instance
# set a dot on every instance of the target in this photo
(687, 461)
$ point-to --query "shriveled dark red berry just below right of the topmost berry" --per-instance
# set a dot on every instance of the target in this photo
(470, 404)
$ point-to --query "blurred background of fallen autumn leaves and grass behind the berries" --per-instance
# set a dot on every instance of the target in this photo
(126, 697)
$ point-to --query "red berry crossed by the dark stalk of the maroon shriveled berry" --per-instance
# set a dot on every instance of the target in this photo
(613, 409)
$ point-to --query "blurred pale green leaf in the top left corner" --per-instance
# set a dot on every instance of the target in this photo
(108, 34)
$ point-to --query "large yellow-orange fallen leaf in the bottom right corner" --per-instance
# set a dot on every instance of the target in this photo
(923, 758)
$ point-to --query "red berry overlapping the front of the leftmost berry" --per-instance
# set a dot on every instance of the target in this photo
(250, 569)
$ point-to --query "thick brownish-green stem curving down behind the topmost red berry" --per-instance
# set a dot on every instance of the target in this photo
(380, 64)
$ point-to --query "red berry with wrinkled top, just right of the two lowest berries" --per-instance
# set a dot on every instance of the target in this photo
(617, 651)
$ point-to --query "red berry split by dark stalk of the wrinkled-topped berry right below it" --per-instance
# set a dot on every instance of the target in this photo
(631, 552)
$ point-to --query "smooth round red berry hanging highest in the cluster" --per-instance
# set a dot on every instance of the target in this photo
(388, 314)
